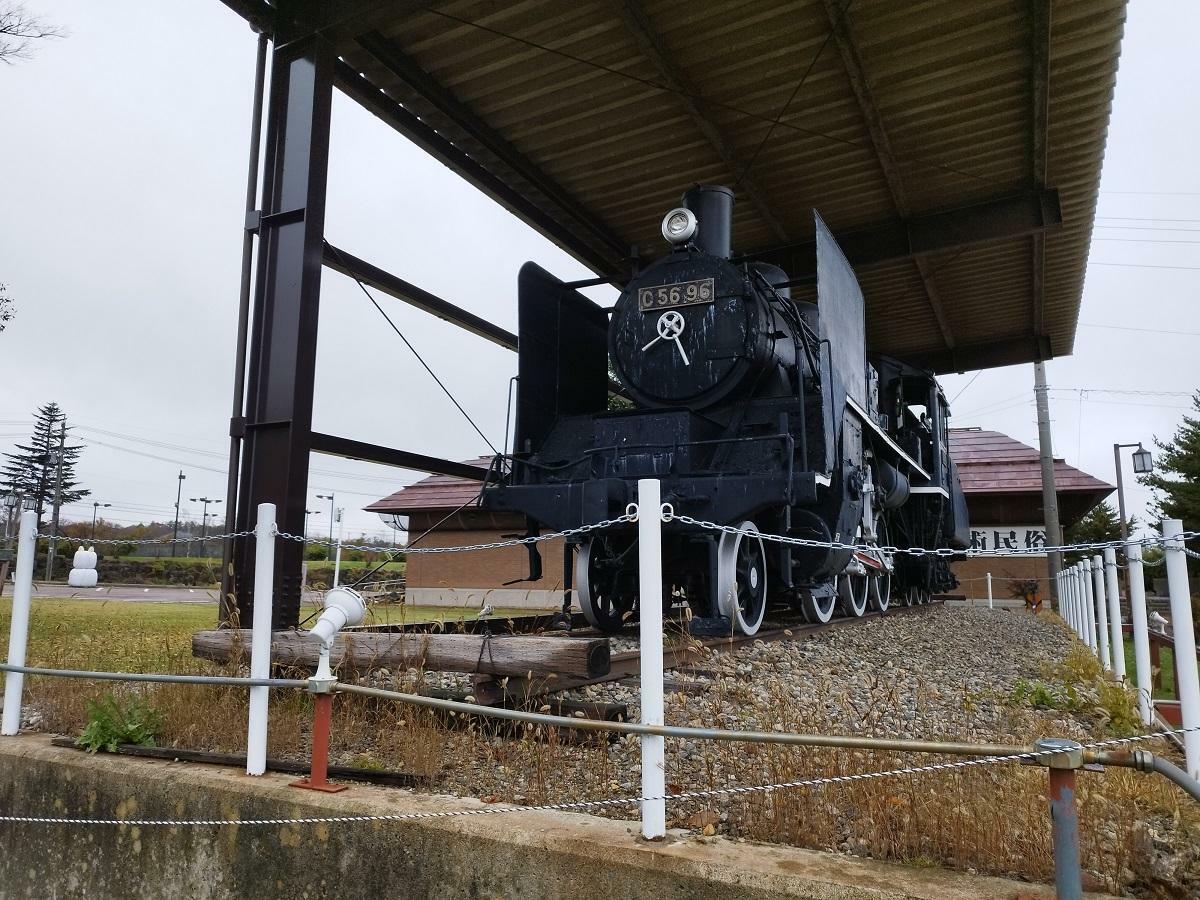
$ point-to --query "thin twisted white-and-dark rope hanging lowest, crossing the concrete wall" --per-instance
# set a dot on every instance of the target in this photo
(617, 802)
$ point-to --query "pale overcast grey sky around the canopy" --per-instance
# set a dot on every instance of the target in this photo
(124, 157)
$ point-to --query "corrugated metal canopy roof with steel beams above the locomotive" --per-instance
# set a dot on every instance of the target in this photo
(953, 147)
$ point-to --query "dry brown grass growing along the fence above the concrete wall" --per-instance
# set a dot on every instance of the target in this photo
(991, 819)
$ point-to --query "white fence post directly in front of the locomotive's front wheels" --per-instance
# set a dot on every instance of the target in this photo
(650, 589)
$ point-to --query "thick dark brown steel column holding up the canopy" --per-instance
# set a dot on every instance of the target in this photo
(284, 338)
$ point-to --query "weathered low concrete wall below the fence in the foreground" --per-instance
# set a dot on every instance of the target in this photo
(519, 855)
